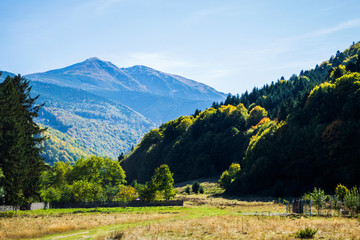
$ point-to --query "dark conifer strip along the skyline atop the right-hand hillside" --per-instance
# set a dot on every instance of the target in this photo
(280, 98)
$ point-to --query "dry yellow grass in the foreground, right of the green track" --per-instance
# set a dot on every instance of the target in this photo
(246, 227)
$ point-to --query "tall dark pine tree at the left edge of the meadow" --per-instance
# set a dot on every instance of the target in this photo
(19, 141)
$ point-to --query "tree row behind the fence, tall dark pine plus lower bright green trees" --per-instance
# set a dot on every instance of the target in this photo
(25, 177)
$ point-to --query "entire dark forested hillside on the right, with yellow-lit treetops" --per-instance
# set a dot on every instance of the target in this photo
(311, 138)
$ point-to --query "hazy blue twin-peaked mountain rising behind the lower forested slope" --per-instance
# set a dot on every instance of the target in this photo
(156, 95)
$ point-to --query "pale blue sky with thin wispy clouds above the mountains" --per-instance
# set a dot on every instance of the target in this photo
(229, 45)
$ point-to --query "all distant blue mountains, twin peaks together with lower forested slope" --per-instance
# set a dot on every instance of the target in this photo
(94, 107)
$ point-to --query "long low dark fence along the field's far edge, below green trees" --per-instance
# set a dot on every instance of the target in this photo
(43, 205)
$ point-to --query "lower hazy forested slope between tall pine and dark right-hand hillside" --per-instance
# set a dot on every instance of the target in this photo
(89, 123)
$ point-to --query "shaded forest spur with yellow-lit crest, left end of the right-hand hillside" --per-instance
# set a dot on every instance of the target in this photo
(194, 146)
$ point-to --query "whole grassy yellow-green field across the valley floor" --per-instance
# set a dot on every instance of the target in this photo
(204, 216)
